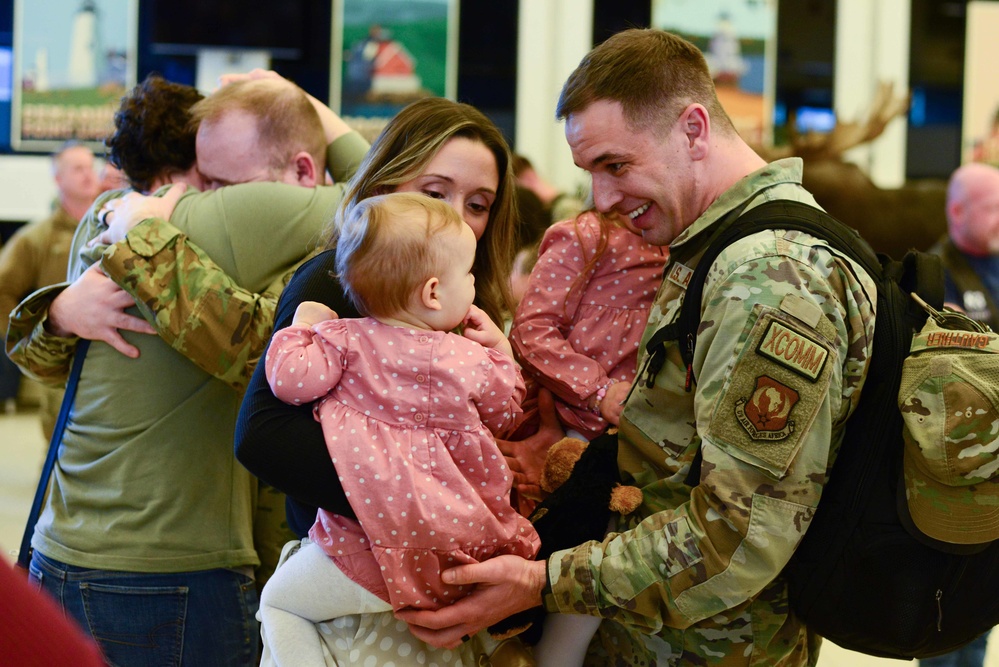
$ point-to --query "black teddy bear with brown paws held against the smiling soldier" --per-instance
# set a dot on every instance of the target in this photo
(584, 490)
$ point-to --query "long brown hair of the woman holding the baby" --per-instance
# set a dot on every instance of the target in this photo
(402, 151)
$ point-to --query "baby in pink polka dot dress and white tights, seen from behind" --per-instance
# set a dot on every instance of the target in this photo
(408, 410)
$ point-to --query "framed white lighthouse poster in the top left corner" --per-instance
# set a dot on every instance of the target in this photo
(73, 61)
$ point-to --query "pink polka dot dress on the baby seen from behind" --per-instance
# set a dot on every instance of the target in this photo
(408, 416)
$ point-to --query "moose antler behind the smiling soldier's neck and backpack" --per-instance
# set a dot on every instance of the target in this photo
(812, 146)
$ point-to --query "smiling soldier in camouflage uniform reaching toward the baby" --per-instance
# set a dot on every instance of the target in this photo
(693, 577)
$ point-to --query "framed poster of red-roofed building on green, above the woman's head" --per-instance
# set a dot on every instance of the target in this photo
(388, 53)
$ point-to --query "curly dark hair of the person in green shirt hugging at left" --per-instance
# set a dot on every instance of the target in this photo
(153, 134)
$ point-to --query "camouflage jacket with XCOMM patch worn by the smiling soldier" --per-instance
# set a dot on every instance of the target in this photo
(693, 577)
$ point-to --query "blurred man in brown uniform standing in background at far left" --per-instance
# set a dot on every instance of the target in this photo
(37, 254)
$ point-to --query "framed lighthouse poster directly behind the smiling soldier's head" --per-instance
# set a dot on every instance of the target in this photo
(738, 39)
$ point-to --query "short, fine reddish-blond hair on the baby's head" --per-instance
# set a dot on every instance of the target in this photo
(389, 245)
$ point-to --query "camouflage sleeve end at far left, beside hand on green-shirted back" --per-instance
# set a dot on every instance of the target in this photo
(39, 354)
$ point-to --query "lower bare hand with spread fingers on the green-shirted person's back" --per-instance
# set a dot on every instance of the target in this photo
(93, 307)
